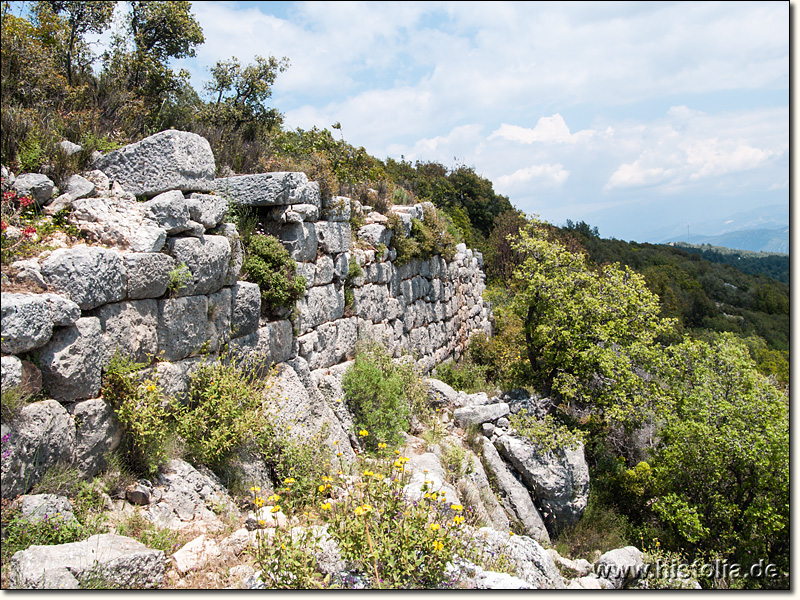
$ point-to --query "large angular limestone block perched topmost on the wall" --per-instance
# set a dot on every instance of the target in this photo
(169, 160)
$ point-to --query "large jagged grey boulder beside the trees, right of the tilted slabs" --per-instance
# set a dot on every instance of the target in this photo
(558, 479)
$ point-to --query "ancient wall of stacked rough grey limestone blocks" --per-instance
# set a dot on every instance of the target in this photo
(161, 281)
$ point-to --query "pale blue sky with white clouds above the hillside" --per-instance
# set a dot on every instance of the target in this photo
(639, 118)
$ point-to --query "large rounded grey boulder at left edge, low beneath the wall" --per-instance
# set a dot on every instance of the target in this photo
(42, 436)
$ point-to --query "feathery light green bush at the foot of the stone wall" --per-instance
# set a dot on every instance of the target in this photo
(375, 392)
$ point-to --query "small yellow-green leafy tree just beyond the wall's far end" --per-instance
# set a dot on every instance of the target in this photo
(589, 333)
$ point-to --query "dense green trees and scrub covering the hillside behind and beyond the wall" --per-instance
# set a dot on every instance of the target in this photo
(688, 345)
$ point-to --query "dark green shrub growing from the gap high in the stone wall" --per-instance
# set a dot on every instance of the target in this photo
(270, 266)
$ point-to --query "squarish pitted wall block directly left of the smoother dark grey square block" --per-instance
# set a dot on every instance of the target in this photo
(129, 328)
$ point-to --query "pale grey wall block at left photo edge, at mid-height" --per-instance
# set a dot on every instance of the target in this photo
(26, 324)
